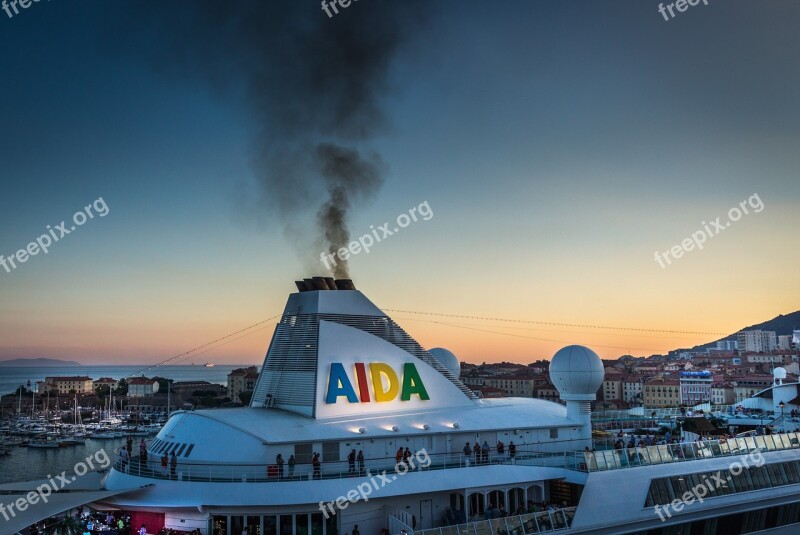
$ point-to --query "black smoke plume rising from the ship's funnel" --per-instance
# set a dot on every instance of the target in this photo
(313, 86)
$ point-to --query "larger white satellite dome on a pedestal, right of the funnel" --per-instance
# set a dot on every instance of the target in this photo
(577, 372)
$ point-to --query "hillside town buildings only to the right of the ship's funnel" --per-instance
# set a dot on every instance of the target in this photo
(730, 372)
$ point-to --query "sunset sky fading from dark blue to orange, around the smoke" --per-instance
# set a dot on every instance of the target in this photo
(559, 145)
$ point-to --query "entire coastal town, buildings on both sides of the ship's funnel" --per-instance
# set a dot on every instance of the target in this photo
(729, 372)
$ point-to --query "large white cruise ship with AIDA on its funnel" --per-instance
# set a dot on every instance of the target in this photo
(354, 428)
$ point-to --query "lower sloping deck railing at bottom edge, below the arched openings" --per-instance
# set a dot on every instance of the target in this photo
(541, 522)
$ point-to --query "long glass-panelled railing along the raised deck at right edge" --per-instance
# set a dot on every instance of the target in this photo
(687, 451)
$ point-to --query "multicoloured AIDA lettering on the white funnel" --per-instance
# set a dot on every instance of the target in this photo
(339, 384)
